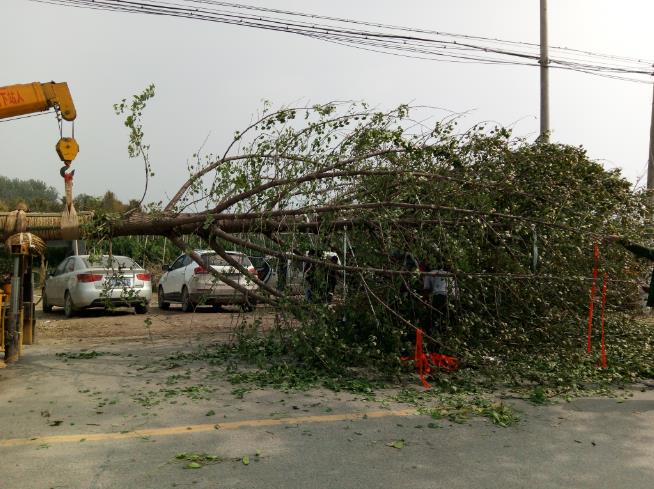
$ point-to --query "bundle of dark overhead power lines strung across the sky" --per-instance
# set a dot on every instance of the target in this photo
(382, 38)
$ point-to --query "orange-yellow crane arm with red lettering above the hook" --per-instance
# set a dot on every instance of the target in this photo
(36, 97)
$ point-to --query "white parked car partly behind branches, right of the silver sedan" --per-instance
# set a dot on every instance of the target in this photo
(189, 284)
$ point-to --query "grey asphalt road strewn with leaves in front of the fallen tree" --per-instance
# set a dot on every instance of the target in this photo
(121, 419)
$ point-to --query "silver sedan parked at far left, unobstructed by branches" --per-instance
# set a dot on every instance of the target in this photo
(87, 281)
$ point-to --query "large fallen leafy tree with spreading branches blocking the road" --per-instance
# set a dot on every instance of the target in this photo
(512, 222)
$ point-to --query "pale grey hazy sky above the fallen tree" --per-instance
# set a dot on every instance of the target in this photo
(210, 79)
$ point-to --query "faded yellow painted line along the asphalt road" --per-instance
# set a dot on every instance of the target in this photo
(203, 428)
